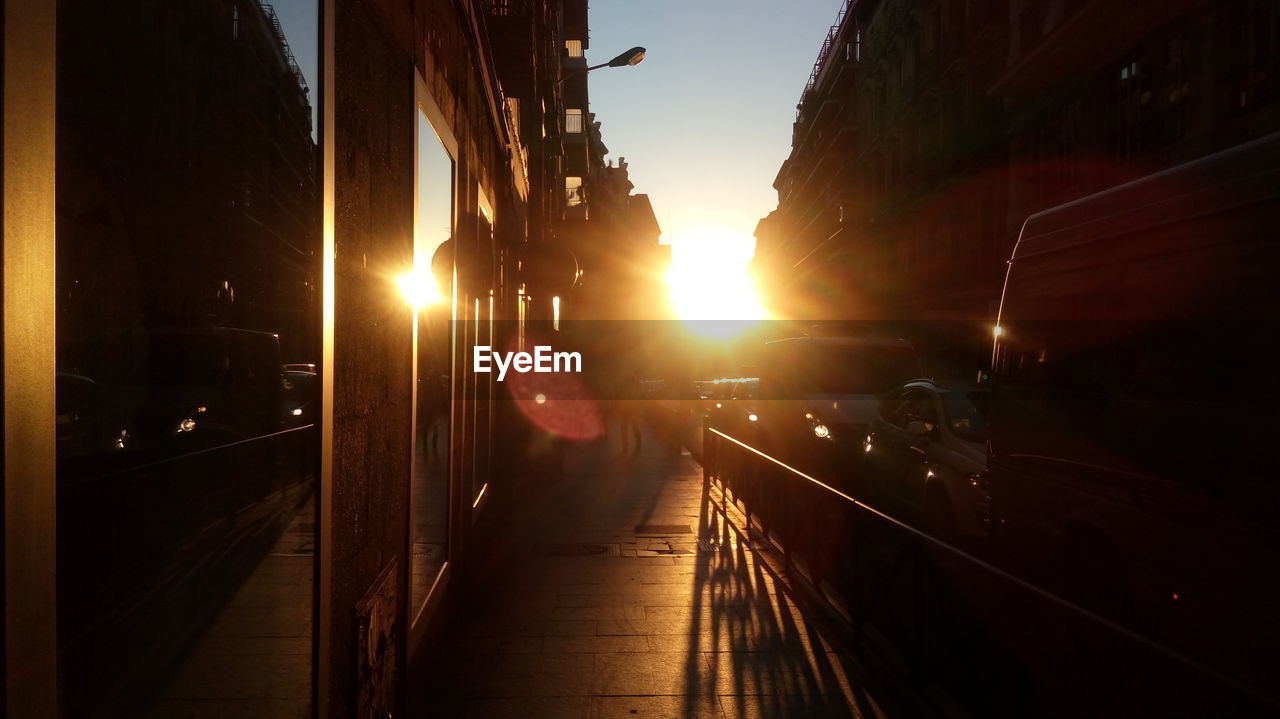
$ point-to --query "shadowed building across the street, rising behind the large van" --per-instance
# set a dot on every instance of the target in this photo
(930, 130)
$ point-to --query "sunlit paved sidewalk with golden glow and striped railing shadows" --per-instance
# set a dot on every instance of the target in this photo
(630, 598)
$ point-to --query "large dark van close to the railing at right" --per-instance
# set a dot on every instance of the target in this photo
(1133, 406)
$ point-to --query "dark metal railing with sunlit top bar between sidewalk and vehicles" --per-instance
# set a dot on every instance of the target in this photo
(956, 629)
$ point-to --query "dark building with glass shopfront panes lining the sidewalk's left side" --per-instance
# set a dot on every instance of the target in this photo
(237, 462)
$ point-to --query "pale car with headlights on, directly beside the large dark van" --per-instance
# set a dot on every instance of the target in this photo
(925, 460)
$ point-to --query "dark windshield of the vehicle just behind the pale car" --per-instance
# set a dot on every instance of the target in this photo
(857, 370)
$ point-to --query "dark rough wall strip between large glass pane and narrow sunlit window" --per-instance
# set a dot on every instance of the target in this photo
(373, 332)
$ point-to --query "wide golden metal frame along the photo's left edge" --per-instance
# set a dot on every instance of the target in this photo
(30, 454)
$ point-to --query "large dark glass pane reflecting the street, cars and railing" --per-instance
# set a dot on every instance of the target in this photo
(189, 236)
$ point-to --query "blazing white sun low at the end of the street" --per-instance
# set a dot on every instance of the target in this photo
(710, 287)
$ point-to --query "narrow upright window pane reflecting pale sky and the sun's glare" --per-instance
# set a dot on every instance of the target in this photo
(429, 491)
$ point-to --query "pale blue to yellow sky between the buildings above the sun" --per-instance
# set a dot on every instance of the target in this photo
(706, 120)
